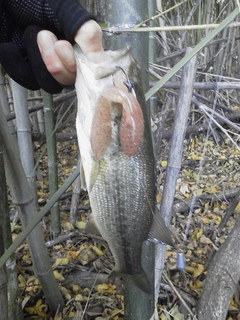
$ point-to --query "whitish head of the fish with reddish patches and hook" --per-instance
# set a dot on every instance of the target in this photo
(108, 104)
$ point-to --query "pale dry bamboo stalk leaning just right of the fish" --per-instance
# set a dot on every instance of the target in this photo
(174, 159)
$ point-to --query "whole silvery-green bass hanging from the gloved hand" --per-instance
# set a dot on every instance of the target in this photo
(117, 160)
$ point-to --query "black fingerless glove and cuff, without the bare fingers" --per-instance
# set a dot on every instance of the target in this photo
(20, 22)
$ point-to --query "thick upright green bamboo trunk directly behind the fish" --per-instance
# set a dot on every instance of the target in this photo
(132, 13)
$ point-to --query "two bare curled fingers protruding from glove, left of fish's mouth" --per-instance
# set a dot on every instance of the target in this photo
(58, 57)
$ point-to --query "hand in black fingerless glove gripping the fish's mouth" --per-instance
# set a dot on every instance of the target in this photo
(19, 41)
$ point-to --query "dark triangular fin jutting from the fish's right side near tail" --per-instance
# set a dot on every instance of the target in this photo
(159, 231)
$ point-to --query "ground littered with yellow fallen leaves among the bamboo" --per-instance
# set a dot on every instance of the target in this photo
(81, 262)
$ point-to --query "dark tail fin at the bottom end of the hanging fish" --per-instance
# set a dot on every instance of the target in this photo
(139, 279)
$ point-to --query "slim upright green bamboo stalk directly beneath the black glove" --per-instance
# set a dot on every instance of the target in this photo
(52, 158)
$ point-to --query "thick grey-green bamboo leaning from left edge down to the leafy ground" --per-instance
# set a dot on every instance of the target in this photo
(23, 198)
